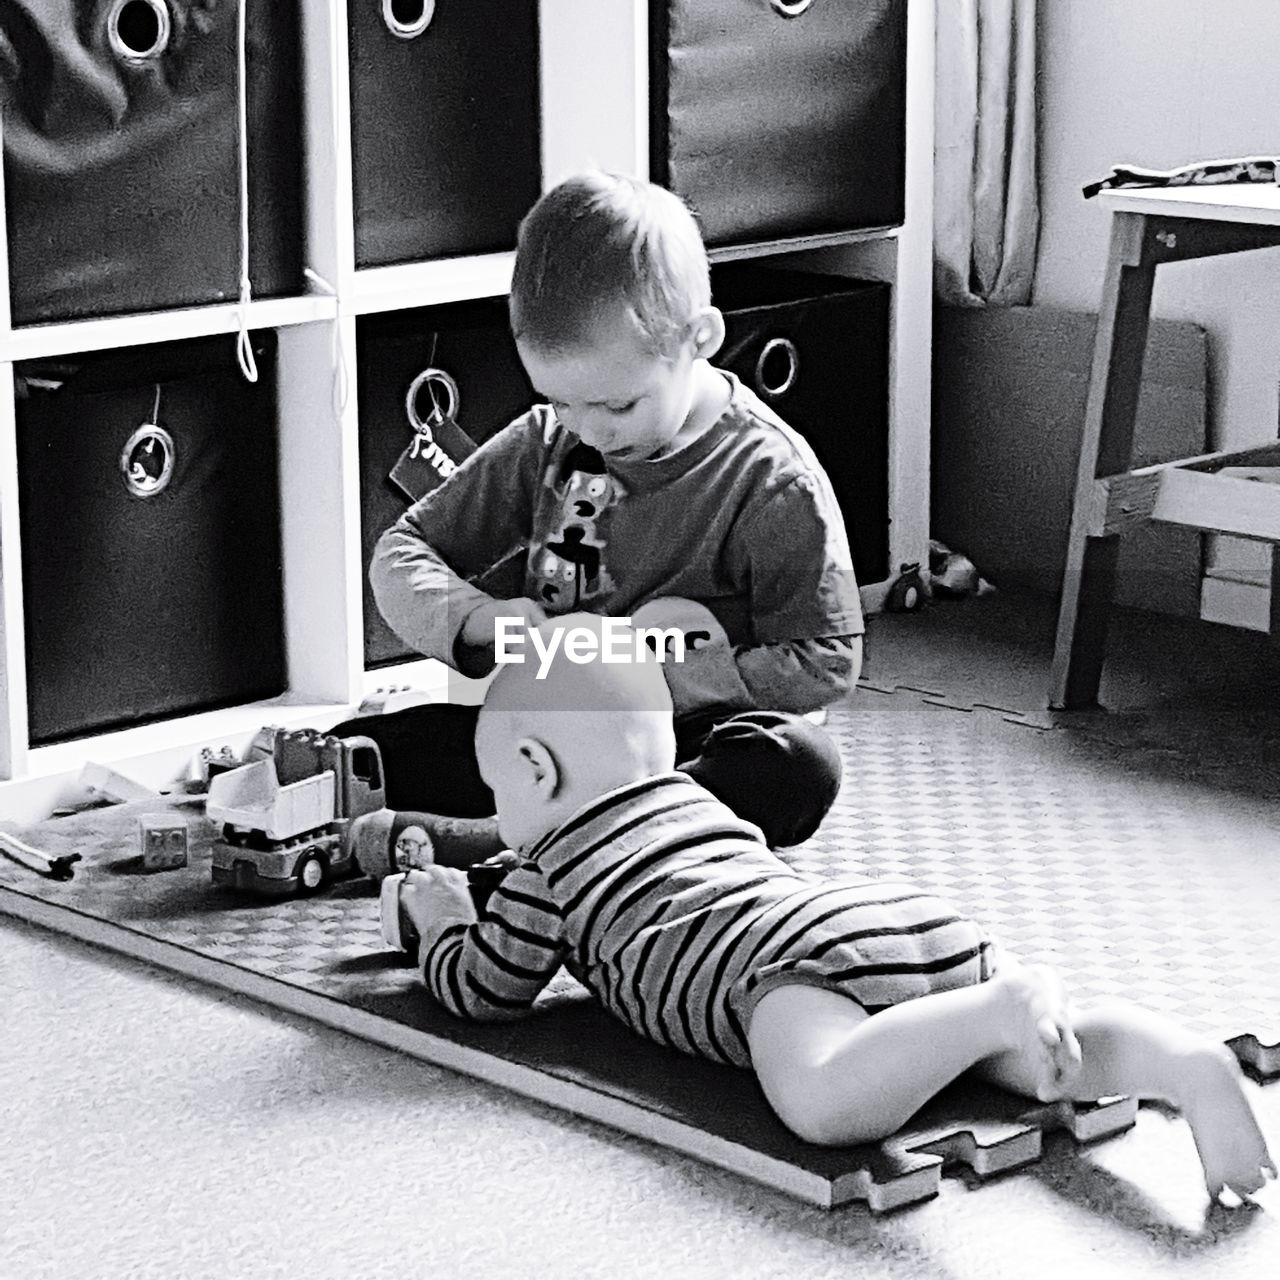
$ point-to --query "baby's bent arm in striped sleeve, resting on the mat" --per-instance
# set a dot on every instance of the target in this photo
(493, 970)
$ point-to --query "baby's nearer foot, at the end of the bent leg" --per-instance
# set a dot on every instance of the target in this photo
(1035, 1007)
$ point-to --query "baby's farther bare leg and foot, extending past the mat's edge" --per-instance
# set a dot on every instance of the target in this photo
(1127, 1050)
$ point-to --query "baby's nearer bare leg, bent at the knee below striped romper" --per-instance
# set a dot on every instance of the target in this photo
(836, 1076)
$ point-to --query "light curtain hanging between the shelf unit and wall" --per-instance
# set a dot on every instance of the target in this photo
(986, 207)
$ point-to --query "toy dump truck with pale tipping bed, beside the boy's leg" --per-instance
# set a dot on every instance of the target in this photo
(285, 820)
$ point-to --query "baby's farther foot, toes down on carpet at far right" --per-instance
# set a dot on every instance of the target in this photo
(1231, 1145)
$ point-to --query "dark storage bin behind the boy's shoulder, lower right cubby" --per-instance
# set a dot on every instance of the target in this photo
(816, 350)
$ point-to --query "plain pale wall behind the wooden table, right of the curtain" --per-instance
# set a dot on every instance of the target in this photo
(1165, 84)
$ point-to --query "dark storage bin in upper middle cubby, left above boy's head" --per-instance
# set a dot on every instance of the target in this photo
(445, 126)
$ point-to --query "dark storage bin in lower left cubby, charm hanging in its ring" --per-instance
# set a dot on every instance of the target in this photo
(139, 607)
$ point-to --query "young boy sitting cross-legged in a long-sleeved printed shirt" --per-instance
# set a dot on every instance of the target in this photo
(647, 477)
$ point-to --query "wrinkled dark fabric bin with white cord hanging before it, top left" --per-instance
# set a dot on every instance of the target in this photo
(122, 172)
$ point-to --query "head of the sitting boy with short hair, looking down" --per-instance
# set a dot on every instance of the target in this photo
(611, 309)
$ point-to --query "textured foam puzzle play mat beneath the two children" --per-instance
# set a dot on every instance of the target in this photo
(1126, 884)
